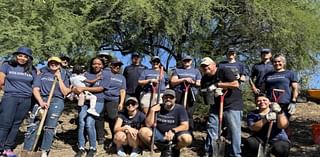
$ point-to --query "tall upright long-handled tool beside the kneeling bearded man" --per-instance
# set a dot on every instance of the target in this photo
(155, 116)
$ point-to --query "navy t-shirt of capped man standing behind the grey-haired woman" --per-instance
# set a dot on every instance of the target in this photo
(259, 71)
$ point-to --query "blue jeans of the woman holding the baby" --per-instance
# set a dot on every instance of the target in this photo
(88, 121)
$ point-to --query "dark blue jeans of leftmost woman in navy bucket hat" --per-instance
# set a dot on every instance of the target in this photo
(12, 112)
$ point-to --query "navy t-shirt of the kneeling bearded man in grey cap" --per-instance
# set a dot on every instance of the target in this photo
(166, 120)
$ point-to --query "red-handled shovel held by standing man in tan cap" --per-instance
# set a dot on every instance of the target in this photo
(220, 145)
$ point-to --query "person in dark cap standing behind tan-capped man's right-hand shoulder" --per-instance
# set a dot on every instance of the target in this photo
(237, 67)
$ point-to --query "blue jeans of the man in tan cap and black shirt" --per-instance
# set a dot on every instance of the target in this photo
(232, 120)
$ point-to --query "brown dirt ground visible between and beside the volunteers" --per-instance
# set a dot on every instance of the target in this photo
(302, 144)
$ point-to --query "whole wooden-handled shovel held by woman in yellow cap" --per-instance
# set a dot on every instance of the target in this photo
(34, 153)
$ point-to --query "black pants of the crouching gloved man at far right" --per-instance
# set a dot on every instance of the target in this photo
(278, 148)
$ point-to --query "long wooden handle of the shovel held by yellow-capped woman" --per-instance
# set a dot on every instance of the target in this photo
(44, 115)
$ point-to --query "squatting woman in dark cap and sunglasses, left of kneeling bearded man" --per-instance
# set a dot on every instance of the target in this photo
(127, 126)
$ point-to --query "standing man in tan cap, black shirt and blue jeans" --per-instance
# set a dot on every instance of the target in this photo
(222, 78)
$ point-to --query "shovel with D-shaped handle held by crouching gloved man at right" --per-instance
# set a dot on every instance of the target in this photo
(264, 151)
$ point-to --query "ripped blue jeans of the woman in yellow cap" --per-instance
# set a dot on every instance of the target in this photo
(53, 115)
